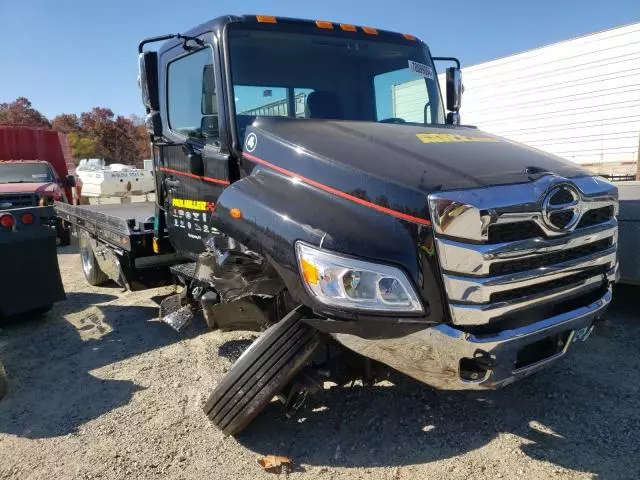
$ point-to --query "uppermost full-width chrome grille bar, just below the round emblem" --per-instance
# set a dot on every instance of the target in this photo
(476, 259)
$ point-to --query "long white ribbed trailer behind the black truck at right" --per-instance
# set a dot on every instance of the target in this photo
(579, 99)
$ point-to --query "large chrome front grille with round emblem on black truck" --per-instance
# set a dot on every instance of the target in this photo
(503, 252)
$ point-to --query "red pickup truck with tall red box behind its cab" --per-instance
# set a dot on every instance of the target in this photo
(34, 171)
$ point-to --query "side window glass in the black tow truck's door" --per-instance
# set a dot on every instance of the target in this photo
(192, 104)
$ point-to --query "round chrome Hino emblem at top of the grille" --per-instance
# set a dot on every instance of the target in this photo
(561, 208)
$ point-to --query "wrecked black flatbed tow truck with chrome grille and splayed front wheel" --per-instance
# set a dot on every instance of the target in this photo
(297, 195)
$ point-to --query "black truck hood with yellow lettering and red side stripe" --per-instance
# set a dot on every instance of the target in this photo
(395, 166)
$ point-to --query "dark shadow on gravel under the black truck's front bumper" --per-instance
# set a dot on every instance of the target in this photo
(581, 414)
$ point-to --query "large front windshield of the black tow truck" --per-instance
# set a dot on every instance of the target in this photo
(326, 76)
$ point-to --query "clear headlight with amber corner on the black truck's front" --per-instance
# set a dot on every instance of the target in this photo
(346, 282)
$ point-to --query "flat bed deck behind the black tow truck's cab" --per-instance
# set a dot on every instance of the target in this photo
(112, 222)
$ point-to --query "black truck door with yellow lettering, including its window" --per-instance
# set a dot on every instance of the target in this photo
(193, 167)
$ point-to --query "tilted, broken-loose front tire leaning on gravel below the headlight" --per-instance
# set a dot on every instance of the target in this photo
(261, 372)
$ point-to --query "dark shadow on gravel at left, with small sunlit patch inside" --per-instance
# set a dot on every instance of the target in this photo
(50, 362)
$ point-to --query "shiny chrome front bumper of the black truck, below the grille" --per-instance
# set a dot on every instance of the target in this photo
(435, 355)
